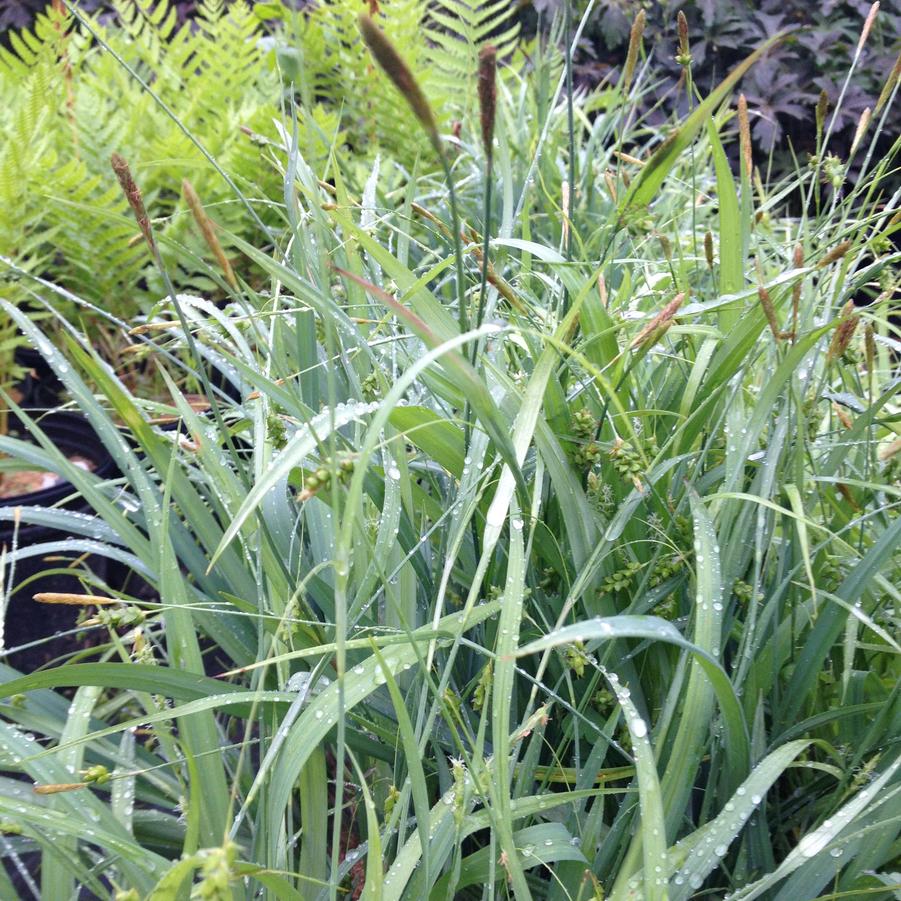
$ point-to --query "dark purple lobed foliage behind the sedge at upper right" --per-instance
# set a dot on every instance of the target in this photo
(783, 88)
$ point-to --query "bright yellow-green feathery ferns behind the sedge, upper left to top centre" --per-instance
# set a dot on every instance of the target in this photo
(69, 105)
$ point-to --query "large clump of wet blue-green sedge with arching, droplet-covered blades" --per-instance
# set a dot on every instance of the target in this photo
(591, 593)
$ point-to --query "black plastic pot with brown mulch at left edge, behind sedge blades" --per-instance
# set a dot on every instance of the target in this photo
(26, 620)
